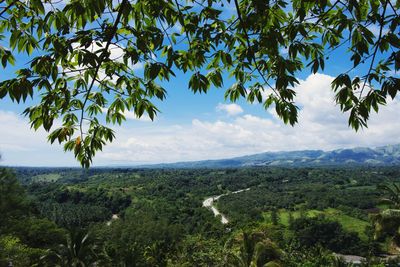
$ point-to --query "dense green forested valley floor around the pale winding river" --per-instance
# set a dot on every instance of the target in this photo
(154, 217)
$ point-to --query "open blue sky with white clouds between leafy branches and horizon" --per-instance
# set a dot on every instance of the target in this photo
(204, 126)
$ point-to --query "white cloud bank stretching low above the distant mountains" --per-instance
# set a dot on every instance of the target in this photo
(321, 126)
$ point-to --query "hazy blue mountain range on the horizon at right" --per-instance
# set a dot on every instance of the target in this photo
(385, 155)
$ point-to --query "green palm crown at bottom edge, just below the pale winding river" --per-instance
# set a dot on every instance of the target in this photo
(254, 250)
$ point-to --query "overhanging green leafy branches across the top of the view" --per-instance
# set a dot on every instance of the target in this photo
(83, 57)
